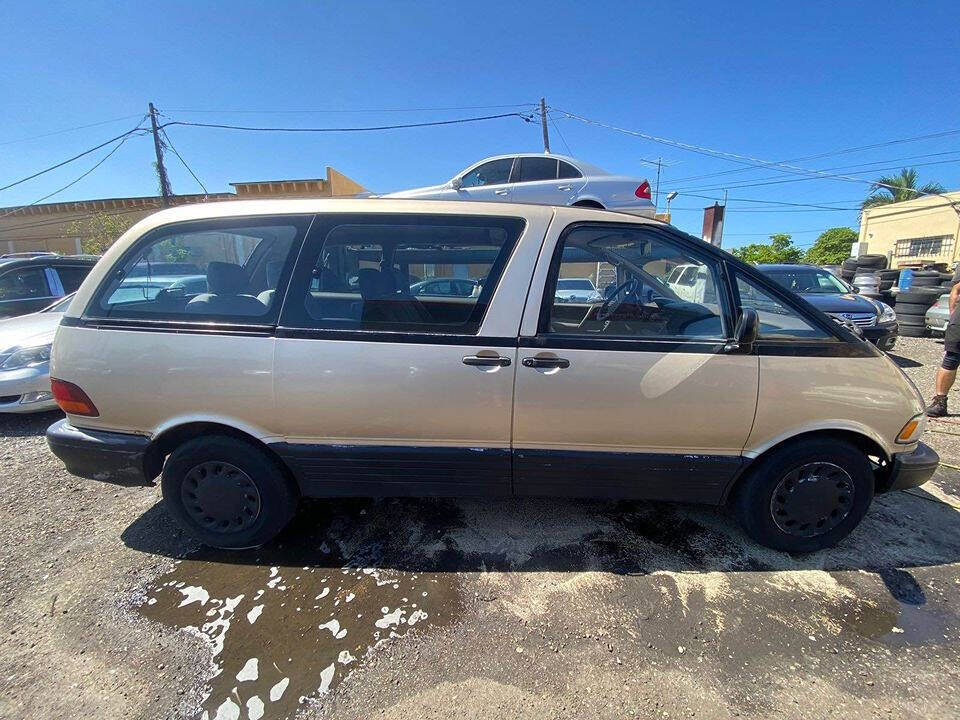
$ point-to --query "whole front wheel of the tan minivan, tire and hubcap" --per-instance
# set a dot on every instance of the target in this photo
(843, 496)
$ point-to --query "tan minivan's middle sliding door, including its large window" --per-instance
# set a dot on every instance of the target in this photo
(383, 392)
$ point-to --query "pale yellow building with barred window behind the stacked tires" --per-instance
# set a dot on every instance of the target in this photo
(914, 232)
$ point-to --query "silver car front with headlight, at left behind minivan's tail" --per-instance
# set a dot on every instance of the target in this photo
(25, 359)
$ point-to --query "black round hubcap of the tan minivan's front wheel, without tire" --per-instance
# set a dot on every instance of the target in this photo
(812, 499)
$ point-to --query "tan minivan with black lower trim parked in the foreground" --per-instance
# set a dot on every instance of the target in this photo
(251, 353)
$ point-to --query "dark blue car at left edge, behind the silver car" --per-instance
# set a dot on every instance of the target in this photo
(31, 281)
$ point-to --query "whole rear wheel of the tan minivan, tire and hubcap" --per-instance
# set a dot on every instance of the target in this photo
(244, 504)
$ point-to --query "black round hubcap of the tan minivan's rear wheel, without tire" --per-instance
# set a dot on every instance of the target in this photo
(220, 497)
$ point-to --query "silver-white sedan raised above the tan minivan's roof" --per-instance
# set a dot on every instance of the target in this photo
(542, 179)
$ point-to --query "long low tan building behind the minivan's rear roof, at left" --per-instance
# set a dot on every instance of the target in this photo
(58, 227)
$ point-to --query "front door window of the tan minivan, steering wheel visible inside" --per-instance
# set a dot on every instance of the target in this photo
(638, 289)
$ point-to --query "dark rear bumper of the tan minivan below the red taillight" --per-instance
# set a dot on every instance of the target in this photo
(99, 455)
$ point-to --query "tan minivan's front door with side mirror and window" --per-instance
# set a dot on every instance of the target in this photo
(637, 394)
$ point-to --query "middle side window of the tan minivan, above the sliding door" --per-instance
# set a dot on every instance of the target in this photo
(426, 274)
